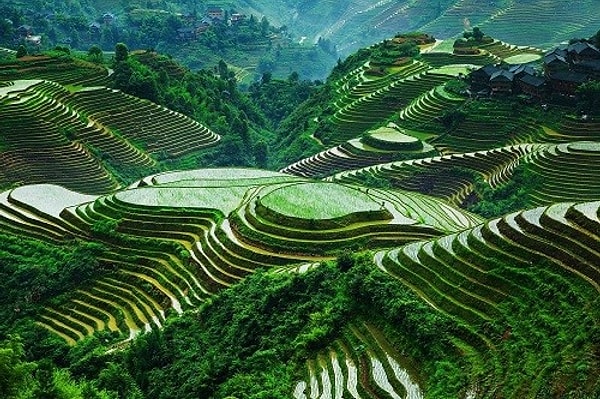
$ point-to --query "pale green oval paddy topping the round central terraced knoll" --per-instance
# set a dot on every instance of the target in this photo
(319, 201)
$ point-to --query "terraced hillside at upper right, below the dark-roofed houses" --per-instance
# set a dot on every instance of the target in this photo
(468, 140)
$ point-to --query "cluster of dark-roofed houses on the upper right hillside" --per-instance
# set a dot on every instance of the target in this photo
(564, 69)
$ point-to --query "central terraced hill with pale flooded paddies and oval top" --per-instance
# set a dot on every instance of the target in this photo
(177, 238)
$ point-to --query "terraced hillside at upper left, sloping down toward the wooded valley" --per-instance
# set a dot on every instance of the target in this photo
(71, 136)
